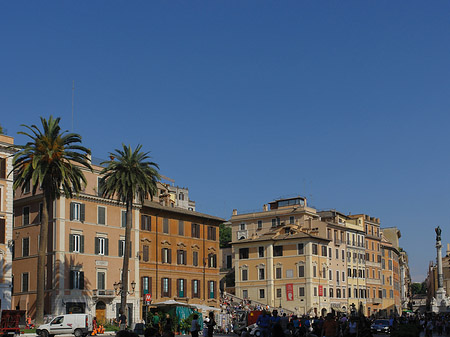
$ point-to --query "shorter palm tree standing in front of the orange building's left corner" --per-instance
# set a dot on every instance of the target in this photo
(127, 175)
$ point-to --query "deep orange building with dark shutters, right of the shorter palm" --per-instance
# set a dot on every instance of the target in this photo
(179, 255)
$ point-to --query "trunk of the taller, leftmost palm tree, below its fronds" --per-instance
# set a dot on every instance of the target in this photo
(40, 297)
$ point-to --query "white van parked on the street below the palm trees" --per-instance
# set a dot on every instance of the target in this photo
(77, 324)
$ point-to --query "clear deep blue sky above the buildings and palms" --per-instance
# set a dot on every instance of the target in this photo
(344, 102)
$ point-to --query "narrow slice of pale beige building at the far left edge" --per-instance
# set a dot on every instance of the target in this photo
(6, 221)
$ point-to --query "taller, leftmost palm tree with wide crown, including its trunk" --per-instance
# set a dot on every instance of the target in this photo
(52, 160)
